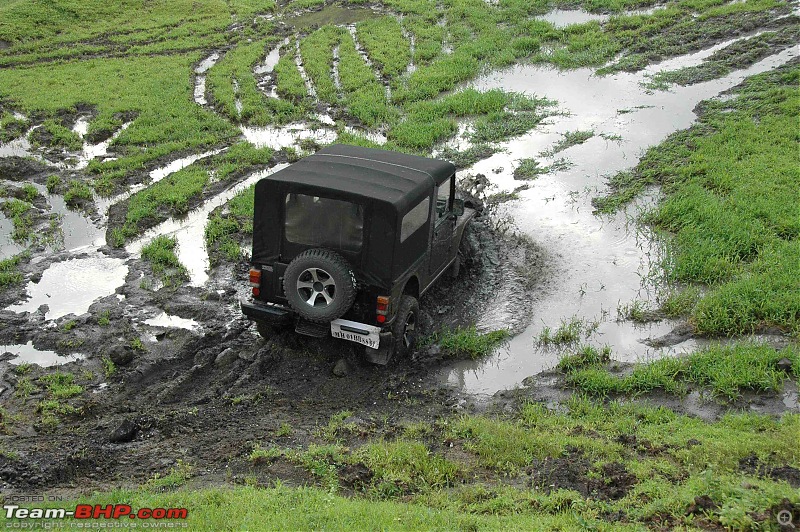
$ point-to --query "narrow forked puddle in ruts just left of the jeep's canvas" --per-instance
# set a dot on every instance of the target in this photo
(190, 230)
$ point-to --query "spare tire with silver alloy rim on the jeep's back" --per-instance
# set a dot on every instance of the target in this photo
(319, 285)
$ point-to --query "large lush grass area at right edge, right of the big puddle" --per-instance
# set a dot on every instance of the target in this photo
(731, 206)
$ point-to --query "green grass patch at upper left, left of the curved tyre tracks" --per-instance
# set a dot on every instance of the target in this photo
(168, 120)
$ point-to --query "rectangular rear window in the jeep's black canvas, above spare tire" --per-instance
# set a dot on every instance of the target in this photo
(316, 221)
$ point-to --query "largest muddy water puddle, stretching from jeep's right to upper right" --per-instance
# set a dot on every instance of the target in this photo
(599, 262)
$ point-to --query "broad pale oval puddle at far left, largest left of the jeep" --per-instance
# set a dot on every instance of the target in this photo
(72, 285)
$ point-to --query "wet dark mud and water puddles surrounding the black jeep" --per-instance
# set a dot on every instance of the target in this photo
(192, 380)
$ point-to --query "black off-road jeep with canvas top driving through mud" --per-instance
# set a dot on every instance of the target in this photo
(347, 240)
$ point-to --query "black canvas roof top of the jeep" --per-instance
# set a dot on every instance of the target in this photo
(395, 178)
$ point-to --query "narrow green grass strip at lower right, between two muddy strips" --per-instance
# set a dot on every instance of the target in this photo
(725, 372)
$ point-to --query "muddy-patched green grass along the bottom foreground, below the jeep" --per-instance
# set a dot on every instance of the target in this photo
(588, 465)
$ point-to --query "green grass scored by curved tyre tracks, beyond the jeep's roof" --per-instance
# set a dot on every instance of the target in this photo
(133, 63)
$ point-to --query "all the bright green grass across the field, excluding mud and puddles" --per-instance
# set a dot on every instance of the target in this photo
(600, 460)
